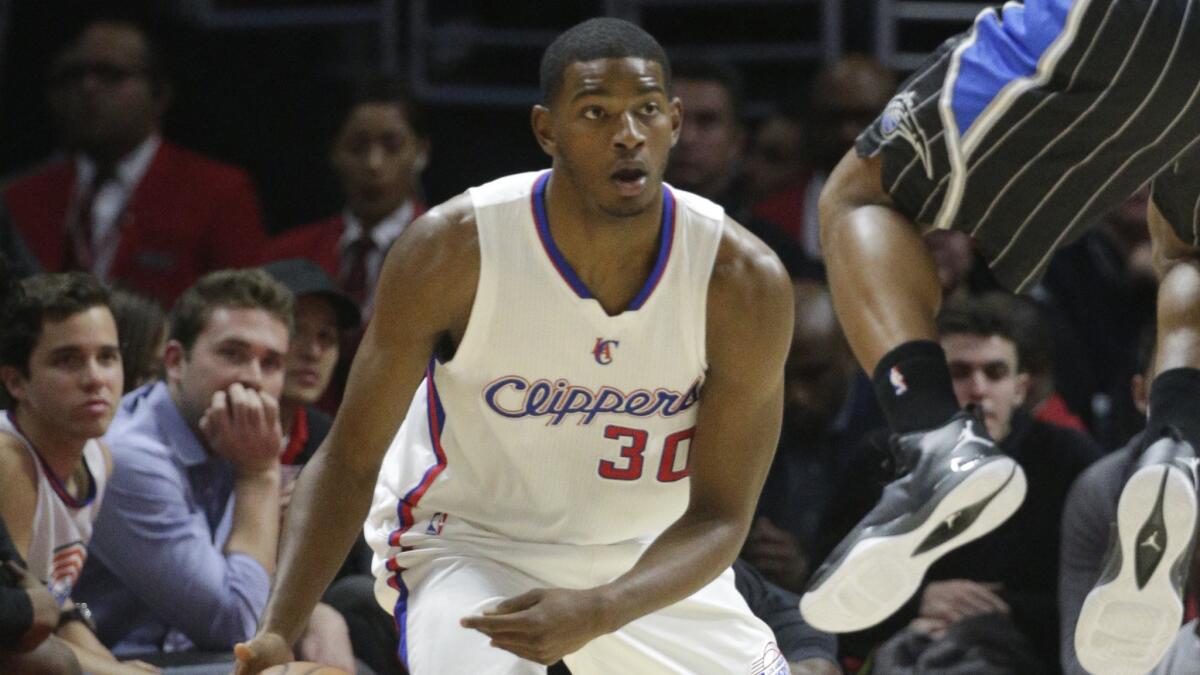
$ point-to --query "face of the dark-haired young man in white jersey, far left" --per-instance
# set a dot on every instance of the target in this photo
(75, 375)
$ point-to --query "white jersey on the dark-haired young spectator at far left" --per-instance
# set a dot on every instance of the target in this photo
(62, 524)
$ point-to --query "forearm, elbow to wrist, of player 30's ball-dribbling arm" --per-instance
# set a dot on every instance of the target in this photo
(328, 509)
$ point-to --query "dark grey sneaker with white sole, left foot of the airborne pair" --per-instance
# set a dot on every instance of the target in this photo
(958, 487)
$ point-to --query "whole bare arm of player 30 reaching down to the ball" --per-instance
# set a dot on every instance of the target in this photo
(425, 292)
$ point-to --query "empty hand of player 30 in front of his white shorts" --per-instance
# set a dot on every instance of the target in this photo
(543, 625)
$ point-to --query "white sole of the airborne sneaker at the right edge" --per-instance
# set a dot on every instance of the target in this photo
(1124, 630)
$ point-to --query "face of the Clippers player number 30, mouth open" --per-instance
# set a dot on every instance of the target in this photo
(611, 129)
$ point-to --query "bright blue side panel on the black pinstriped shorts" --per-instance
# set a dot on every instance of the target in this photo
(1007, 47)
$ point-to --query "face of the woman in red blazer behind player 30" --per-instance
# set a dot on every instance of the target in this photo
(377, 156)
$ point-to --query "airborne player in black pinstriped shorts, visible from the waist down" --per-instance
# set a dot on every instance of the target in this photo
(1022, 133)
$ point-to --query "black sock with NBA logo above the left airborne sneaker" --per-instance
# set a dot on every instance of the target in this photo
(914, 386)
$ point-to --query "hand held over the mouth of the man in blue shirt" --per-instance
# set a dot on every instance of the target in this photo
(243, 426)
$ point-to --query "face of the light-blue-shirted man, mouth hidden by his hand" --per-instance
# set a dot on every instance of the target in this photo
(247, 347)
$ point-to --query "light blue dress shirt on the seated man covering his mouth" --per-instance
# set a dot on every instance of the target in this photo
(158, 578)
